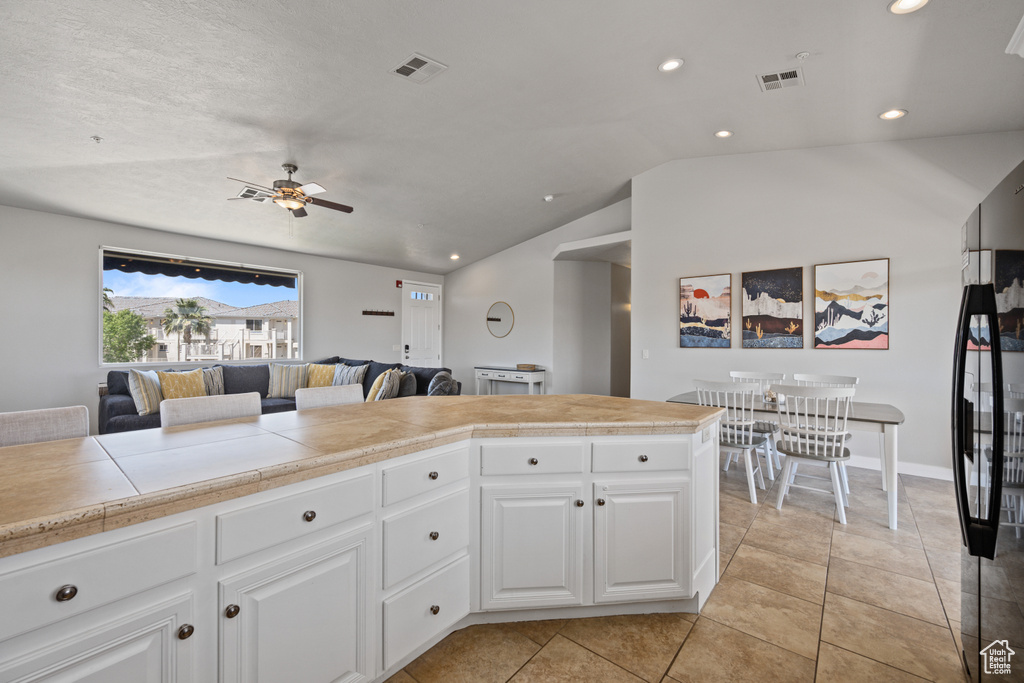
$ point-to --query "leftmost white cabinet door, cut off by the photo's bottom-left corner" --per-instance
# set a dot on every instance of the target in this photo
(141, 648)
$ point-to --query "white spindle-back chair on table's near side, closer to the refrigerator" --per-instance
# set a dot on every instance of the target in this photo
(813, 425)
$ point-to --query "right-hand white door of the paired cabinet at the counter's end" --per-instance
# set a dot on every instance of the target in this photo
(642, 541)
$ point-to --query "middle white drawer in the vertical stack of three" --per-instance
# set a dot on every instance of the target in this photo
(417, 539)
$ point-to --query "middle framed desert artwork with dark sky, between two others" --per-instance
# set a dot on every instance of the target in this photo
(774, 309)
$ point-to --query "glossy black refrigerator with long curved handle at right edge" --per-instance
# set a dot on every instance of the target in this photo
(988, 376)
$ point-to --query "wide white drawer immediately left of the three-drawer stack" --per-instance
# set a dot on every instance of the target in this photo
(261, 527)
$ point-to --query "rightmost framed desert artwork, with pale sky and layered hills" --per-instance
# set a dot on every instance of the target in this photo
(851, 305)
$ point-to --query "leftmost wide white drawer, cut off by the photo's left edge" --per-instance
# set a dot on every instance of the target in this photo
(99, 577)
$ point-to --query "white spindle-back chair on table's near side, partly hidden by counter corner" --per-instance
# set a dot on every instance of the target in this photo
(737, 429)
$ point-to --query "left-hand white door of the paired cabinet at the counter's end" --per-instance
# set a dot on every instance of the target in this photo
(532, 545)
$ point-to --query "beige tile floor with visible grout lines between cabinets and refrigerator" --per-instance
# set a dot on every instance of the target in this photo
(801, 599)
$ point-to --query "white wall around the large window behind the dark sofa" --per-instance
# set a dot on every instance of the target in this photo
(50, 274)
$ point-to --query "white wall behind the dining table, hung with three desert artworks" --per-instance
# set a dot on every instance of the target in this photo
(906, 201)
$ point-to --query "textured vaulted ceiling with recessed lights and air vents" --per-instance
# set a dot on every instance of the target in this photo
(540, 98)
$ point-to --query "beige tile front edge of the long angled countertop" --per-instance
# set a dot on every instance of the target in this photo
(67, 525)
